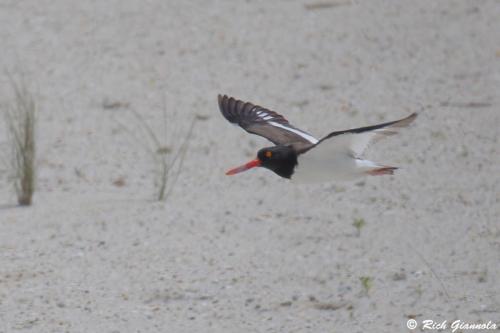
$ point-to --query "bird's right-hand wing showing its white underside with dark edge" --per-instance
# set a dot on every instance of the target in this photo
(357, 140)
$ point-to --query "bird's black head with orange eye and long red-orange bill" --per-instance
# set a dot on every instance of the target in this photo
(280, 159)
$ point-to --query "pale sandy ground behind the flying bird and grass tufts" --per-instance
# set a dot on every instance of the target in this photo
(252, 253)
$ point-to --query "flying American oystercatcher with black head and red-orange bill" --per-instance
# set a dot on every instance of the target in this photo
(298, 155)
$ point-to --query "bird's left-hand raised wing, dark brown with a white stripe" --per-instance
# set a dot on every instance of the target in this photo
(258, 120)
